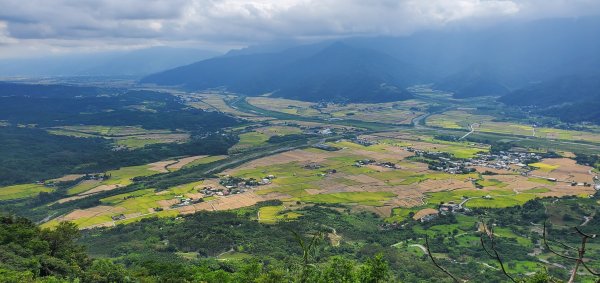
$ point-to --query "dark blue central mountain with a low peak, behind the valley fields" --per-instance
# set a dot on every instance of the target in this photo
(312, 73)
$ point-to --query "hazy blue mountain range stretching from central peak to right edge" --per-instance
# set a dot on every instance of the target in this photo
(492, 61)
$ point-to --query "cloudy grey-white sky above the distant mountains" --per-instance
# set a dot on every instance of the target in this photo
(38, 27)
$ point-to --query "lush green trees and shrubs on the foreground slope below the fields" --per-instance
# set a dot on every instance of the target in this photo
(196, 248)
